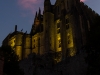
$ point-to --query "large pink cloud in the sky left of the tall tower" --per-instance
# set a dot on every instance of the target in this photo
(31, 5)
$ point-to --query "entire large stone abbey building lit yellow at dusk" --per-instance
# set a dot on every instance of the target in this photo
(63, 28)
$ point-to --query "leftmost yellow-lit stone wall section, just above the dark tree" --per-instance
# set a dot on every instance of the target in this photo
(15, 42)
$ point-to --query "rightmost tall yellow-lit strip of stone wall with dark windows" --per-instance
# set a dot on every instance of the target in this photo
(69, 36)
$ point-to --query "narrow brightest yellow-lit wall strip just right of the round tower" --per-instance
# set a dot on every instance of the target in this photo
(58, 45)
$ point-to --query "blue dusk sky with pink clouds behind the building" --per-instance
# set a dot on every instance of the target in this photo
(21, 13)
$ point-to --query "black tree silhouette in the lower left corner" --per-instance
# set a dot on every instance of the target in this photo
(11, 63)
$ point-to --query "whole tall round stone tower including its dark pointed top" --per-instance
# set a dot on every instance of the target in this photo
(48, 26)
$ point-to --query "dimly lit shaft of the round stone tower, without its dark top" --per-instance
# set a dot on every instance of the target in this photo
(49, 34)
